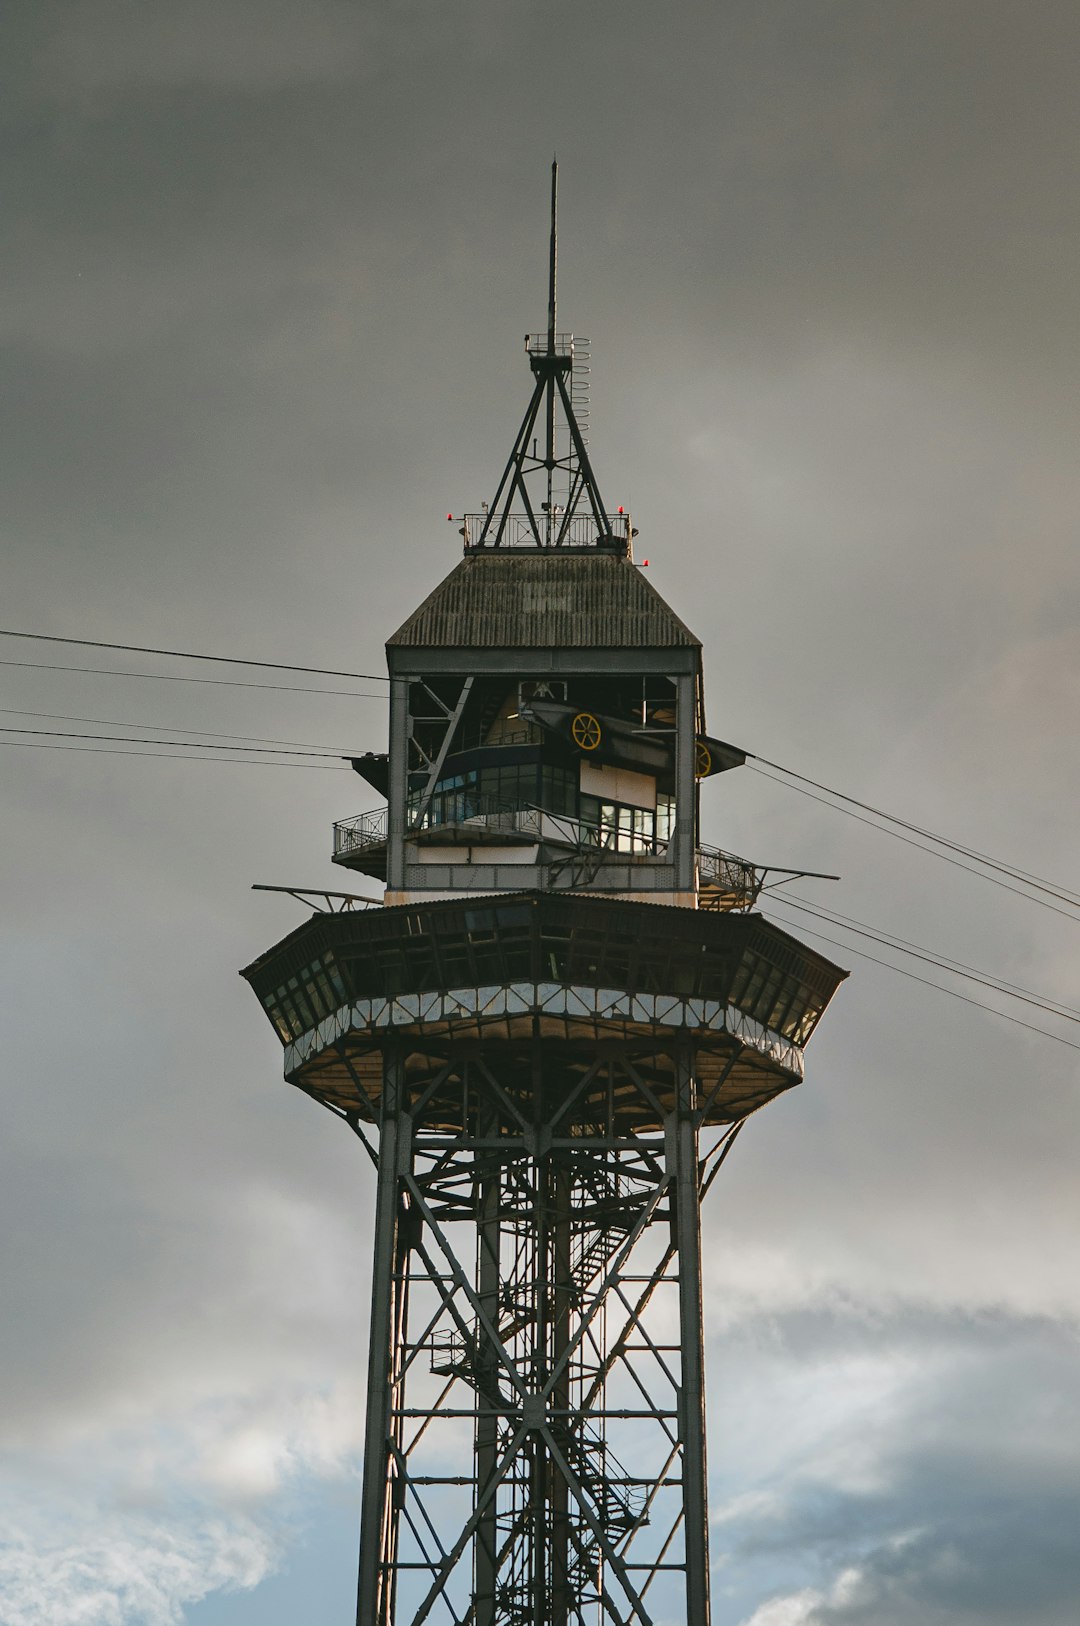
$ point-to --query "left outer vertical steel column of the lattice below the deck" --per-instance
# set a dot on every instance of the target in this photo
(378, 1519)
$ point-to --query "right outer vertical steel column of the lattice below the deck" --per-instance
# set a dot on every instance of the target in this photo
(687, 1214)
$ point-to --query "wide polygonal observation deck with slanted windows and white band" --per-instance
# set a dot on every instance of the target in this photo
(573, 973)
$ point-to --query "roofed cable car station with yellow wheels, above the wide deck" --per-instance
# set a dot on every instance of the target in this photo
(547, 731)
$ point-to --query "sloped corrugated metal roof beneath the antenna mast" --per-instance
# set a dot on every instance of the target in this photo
(541, 599)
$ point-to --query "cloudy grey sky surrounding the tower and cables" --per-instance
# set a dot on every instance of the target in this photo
(268, 269)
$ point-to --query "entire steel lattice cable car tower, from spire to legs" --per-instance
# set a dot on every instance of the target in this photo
(547, 1041)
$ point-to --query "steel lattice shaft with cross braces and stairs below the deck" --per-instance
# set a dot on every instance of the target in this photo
(536, 1391)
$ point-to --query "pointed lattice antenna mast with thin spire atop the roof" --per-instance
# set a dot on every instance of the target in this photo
(549, 497)
